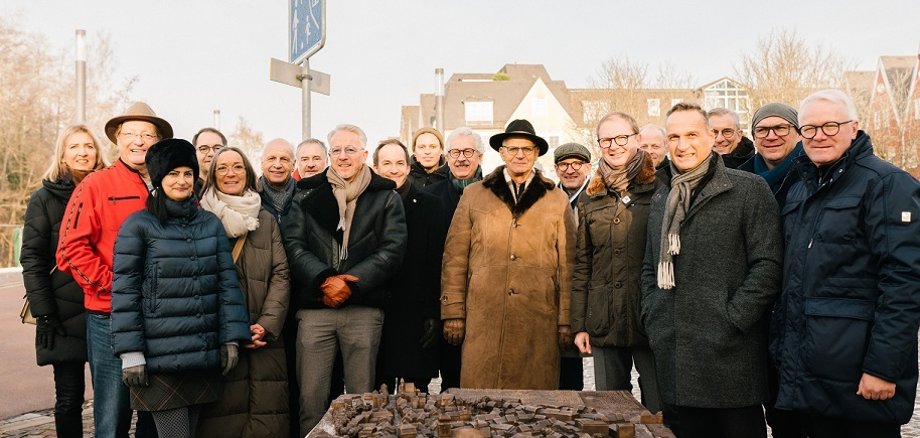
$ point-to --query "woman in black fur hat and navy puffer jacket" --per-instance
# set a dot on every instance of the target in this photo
(177, 311)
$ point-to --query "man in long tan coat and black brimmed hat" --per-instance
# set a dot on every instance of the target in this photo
(507, 269)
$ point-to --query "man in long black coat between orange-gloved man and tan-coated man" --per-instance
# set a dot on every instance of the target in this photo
(412, 327)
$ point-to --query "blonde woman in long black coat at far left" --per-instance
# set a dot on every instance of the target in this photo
(56, 300)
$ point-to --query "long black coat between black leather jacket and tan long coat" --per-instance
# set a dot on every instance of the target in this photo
(416, 292)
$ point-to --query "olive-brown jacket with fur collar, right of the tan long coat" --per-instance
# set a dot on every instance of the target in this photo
(609, 251)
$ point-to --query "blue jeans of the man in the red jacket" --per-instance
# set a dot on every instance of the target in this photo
(111, 402)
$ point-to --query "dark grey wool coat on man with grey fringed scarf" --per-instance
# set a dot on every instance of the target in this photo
(708, 333)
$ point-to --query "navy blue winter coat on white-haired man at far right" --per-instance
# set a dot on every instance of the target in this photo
(851, 288)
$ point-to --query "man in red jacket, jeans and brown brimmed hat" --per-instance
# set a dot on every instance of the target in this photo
(97, 208)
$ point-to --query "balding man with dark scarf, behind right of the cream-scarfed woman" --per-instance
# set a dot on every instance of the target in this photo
(276, 185)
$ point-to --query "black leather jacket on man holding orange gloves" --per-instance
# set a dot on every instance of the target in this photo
(376, 245)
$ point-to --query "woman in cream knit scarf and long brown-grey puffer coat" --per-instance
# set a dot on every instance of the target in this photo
(255, 395)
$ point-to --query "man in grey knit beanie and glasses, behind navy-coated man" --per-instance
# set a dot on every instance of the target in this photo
(778, 143)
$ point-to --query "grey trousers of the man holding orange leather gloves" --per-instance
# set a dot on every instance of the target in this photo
(321, 332)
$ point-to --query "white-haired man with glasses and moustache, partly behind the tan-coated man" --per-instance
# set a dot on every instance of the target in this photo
(464, 154)
